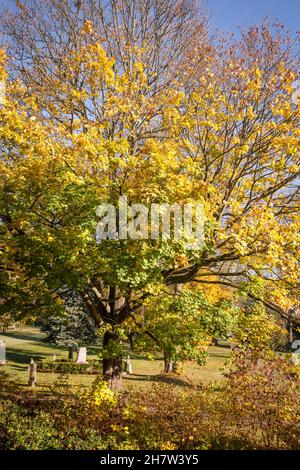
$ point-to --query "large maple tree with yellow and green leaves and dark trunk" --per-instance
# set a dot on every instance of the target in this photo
(97, 112)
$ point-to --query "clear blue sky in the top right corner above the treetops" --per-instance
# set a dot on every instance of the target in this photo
(228, 14)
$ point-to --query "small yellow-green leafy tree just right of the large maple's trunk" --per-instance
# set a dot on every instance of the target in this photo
(182, 326)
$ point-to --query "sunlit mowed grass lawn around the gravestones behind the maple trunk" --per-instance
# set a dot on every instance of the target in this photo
(26, 343)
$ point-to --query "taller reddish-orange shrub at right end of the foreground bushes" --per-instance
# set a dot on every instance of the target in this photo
(263, 400)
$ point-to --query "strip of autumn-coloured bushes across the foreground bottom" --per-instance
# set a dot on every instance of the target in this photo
(257, 407)
